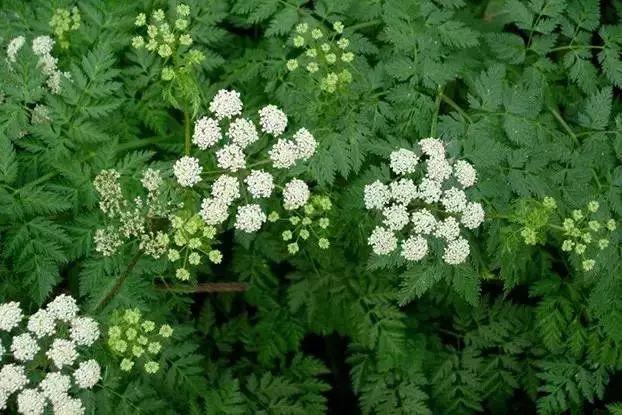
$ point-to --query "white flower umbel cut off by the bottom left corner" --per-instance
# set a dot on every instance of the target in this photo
(36, 349)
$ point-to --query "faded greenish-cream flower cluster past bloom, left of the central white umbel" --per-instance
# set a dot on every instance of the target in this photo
(130, 217)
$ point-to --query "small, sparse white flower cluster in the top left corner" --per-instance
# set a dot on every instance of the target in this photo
(42, 48)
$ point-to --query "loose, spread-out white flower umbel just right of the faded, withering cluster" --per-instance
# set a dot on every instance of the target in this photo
(231, 137)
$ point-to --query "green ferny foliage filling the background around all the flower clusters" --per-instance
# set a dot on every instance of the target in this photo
(528, 91)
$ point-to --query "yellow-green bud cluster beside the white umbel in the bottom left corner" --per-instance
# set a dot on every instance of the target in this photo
(137, 341)
